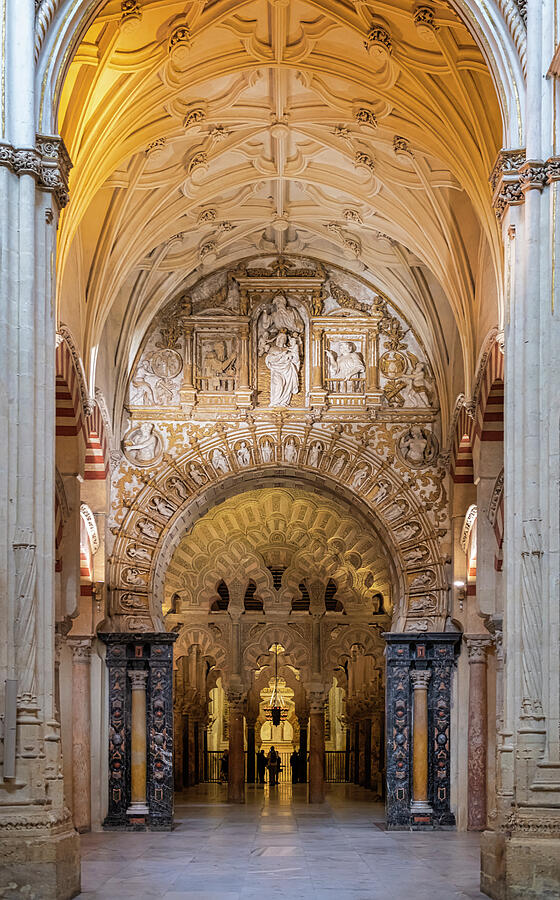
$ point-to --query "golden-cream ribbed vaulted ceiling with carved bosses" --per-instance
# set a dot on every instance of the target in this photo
(204, 132)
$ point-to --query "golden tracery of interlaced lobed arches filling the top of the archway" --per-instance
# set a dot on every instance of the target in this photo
(313, 537)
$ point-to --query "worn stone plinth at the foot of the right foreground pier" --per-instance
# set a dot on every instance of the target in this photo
(522, 866)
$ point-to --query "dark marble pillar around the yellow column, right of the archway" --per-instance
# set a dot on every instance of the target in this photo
(437, 653)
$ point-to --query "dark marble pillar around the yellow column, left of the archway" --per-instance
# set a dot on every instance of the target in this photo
(151, 653)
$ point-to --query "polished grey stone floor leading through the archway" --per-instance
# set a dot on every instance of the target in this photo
(277, 846)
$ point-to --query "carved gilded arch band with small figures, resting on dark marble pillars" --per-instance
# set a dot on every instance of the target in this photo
(359, 464)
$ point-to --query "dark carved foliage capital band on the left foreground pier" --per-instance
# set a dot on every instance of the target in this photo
(48, 162)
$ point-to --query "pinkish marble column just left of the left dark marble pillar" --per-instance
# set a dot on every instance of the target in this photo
(81, 736)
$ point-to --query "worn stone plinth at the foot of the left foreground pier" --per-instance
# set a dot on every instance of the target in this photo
(40, 863)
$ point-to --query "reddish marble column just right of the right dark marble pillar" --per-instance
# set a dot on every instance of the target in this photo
(478, 732)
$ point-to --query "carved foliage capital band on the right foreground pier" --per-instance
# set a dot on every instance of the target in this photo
(513, 175)
